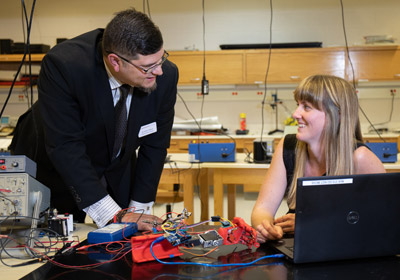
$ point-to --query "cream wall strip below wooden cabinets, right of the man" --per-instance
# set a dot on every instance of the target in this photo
(376, 102)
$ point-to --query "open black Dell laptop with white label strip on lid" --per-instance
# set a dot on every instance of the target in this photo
(345, 217)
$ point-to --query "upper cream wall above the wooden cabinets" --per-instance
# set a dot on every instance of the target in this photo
(226, 21)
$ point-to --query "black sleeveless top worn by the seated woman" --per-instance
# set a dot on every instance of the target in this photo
(289, 158)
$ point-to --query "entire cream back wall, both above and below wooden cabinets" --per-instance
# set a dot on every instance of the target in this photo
(226, 22)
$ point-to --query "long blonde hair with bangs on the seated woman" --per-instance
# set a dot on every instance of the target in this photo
(337, 98)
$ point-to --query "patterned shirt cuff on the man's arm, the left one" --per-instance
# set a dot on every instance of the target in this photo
(102, 211)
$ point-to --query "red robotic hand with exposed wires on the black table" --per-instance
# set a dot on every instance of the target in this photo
(178, 241)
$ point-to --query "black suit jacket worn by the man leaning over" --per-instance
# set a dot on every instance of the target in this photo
(70, 131)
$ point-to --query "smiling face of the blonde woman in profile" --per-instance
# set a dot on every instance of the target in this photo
(311, 122)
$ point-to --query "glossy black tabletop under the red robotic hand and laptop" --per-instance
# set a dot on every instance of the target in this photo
(269, 268)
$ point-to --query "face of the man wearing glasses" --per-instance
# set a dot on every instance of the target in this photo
(143, 71)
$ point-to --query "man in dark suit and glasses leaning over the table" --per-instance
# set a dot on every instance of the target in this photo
(71, 132)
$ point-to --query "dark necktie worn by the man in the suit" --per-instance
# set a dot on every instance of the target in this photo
(121, 120)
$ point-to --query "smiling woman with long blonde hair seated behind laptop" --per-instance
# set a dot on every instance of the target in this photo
(328, 142)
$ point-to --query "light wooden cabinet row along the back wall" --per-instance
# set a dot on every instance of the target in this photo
(287, 66)
